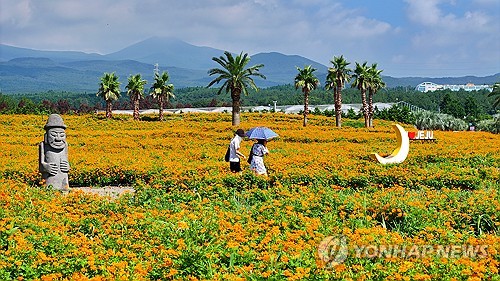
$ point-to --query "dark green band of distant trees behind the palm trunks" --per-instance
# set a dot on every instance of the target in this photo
(50, 101)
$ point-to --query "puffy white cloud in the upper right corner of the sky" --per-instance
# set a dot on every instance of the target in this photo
(450, 37)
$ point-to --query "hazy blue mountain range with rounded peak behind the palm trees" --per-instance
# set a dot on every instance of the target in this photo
(25, 70)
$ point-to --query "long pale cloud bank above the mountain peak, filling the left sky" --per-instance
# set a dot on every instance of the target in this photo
(229, 24)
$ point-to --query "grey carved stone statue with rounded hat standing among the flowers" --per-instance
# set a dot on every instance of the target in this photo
(53, 154)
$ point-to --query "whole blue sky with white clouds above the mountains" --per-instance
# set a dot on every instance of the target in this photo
(432, 38)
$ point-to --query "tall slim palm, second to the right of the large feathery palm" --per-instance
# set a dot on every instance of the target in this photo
(336, 78)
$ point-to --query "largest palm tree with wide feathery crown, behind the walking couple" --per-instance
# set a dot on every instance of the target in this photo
(237, 78)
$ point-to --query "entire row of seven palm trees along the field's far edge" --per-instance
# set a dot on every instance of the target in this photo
(236, 78)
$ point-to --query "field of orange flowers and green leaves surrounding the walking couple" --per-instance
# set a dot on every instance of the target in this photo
(190, 219)
